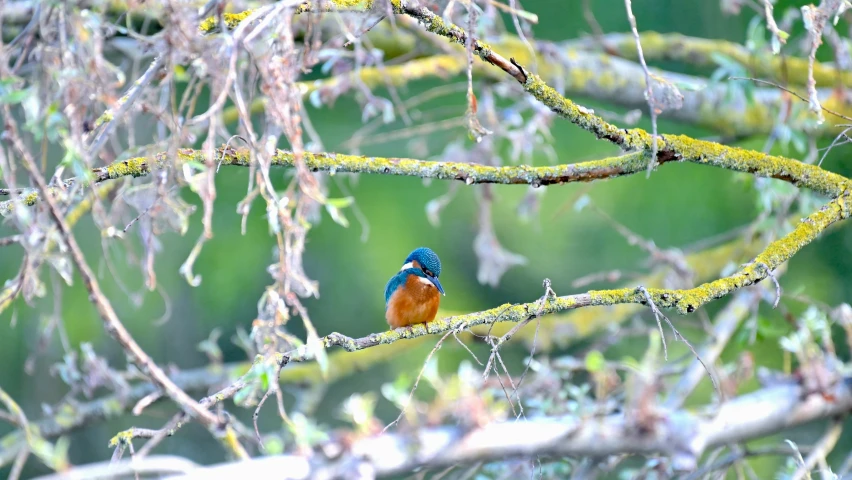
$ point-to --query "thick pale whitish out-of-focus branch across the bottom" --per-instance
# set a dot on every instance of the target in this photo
(679, 434)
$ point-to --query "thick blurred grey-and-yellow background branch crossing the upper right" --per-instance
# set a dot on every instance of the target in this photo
(591, 74)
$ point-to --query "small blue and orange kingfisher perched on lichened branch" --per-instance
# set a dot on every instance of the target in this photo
(411, 296)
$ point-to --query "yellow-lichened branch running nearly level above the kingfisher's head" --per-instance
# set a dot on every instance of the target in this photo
(677, 148)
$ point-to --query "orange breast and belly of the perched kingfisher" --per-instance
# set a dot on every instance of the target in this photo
(414, 302)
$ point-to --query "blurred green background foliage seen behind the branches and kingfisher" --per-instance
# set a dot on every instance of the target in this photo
(676, 206)
